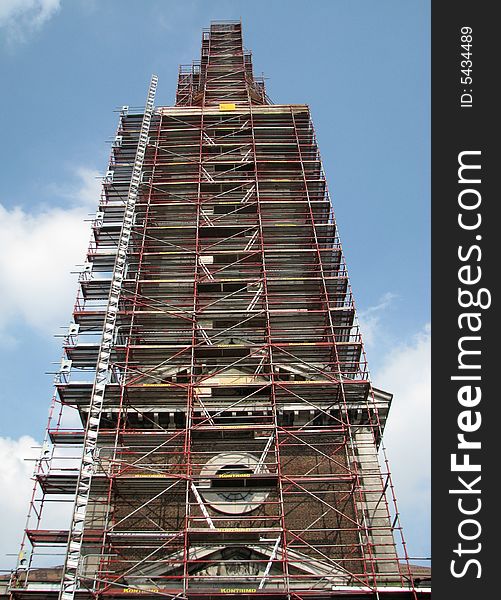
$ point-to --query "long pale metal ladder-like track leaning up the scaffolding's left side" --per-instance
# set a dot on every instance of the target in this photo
(69, 581)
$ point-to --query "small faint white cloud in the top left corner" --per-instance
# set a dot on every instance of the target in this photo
(22, 17)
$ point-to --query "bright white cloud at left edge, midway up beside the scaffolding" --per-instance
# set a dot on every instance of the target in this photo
(37, 252)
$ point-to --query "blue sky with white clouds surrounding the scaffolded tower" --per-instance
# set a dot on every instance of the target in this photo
(362, 66)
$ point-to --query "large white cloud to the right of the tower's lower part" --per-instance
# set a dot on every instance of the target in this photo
(406, 372)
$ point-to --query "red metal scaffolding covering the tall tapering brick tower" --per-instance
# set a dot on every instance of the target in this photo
(233, 447)
